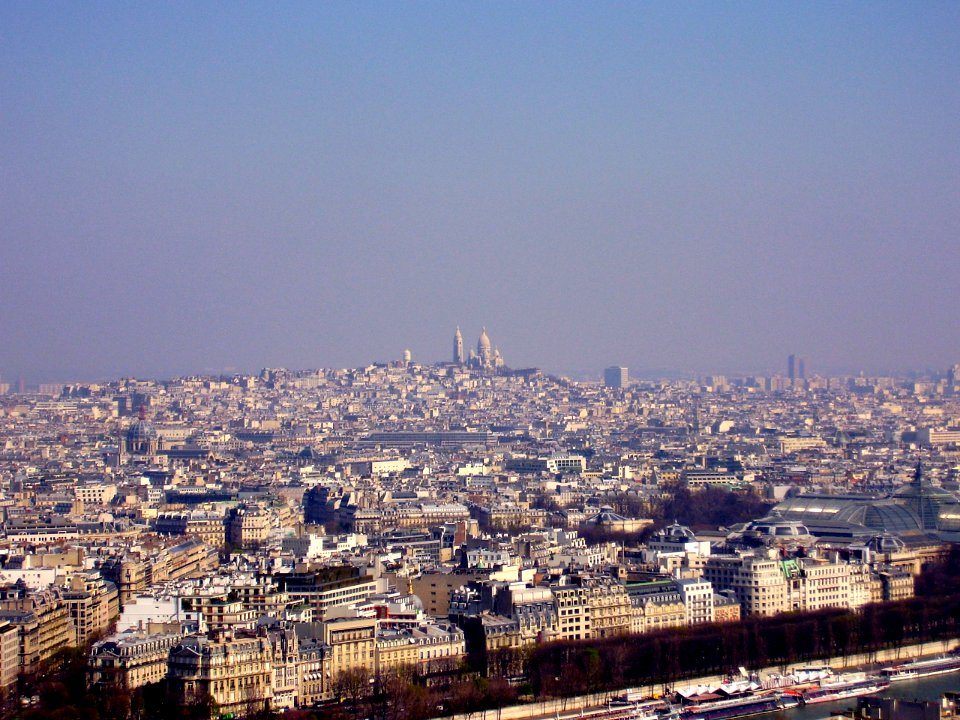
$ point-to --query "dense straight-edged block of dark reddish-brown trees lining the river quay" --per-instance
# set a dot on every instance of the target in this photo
(666, 657)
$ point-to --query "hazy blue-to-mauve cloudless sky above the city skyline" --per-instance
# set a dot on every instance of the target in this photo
(189, 187)
